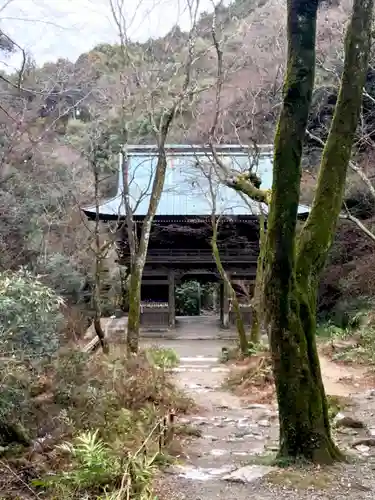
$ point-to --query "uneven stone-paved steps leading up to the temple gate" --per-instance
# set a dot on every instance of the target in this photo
(231, 433)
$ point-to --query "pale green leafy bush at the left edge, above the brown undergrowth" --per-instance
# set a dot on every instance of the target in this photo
(29, 316)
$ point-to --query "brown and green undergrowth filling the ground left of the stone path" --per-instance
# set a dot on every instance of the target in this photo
(89, 426)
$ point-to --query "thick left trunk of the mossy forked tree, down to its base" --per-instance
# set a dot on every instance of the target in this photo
(290, 289)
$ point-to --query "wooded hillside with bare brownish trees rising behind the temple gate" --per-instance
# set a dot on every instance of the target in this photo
(45, 177)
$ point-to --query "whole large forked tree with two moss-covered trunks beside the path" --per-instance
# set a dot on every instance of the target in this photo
(292, 267)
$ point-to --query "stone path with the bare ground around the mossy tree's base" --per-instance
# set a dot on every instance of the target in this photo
(226, 461)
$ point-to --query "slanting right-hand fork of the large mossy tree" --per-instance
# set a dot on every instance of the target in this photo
(317, 233)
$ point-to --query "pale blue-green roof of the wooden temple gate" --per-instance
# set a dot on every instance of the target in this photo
(193, 181)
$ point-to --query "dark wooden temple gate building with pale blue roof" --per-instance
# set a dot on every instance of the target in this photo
(179, 246)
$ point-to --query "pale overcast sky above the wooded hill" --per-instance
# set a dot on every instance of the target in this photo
(50, 29)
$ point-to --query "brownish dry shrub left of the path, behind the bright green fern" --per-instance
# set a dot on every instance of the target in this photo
(111, 394)
